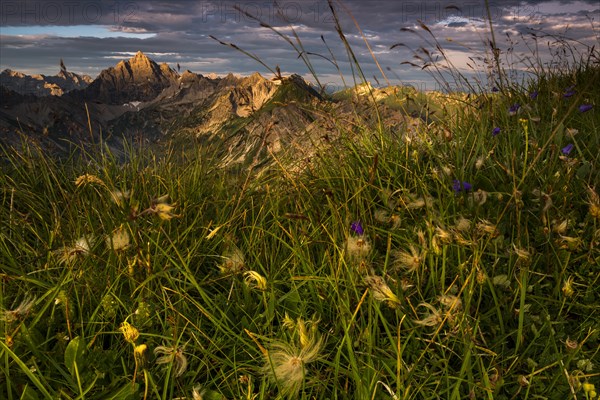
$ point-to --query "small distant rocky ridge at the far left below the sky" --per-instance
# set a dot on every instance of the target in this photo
(42, 85)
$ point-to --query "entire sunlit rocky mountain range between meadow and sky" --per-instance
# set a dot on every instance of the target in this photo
(246, 119)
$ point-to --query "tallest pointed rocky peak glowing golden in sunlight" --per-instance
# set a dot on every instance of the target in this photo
(138, 79)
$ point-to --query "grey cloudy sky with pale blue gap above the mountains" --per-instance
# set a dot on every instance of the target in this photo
(92, 35)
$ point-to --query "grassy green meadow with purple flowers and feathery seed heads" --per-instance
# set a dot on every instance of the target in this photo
(455, 265)
